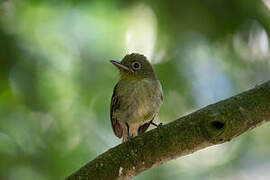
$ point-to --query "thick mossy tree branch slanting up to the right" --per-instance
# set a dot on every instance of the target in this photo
(214, 124)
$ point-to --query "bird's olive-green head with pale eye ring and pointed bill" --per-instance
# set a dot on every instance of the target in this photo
(134, 66)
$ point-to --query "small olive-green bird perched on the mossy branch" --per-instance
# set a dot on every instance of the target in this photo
(136, 98)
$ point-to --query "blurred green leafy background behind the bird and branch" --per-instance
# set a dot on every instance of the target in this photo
(56, 80)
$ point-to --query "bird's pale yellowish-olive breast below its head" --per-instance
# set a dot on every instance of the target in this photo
(141, 100)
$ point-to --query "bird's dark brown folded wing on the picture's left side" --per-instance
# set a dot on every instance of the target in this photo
(117, 129)
